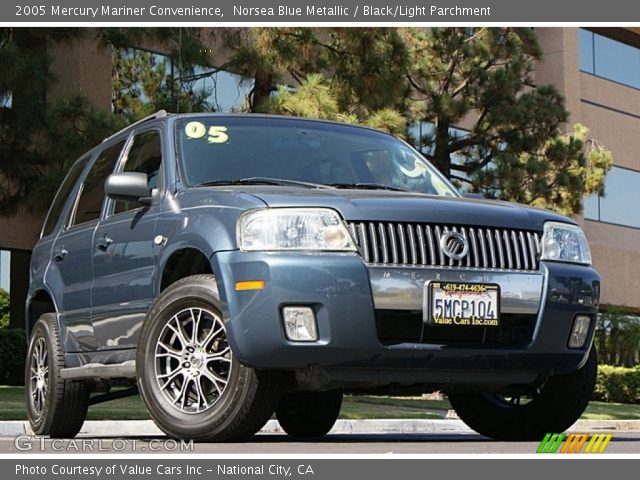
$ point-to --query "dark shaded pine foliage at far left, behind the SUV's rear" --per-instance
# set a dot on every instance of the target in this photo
(32, 157)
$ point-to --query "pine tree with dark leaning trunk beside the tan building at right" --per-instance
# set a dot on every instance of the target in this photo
(515, 148)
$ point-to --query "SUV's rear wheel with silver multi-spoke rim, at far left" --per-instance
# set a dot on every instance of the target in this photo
(55, 406)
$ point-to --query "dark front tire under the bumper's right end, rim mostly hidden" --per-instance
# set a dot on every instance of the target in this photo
(552, 408)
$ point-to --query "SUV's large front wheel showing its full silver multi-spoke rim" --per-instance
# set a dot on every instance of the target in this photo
(189, 379)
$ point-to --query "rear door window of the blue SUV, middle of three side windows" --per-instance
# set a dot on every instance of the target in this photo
(92, 195)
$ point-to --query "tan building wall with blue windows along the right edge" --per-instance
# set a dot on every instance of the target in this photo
(598, 72)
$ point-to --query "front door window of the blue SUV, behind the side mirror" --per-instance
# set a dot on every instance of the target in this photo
(145, 156)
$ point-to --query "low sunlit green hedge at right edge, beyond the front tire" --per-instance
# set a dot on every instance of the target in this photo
(618, 384)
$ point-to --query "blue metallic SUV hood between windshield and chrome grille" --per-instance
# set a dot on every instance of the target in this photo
(386, 206)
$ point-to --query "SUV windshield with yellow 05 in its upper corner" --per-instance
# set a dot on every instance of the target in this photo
(219, 149)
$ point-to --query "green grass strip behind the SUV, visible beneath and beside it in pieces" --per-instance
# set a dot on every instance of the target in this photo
(354, 407)
